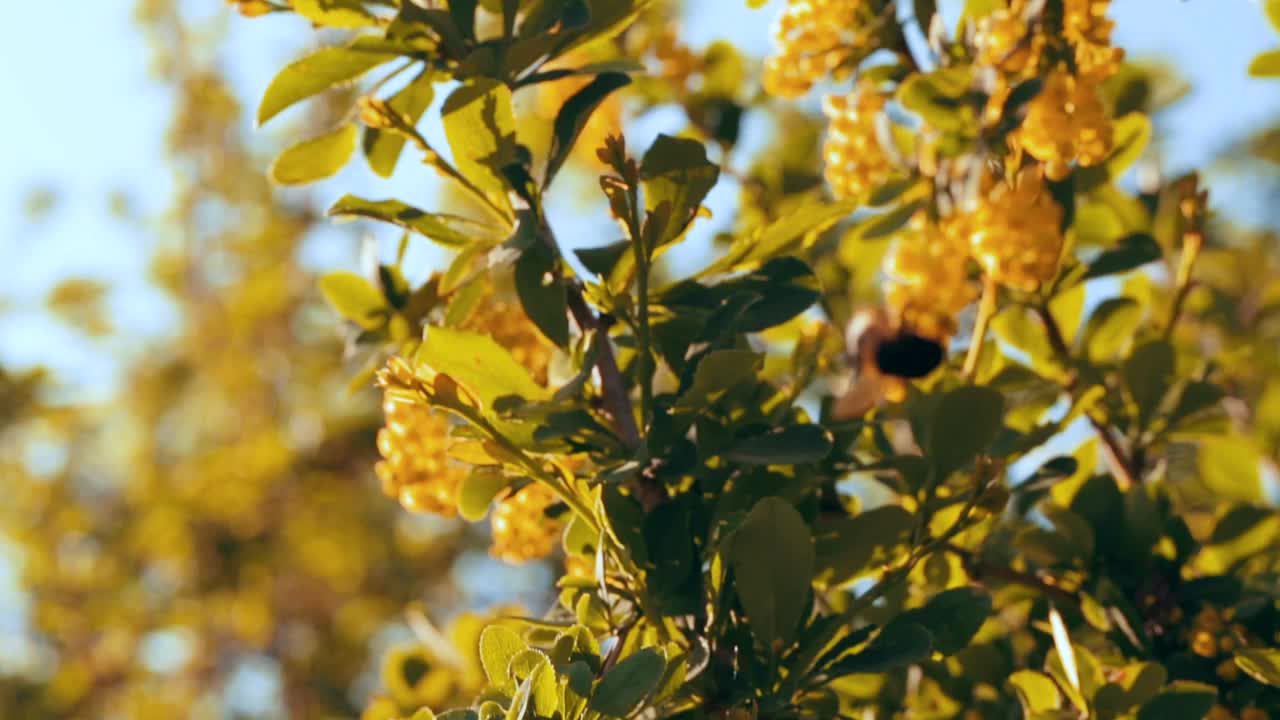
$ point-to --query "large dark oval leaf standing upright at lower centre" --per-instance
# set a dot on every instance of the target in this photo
(774, 559)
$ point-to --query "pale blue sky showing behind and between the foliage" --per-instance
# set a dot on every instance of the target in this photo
(86, 120)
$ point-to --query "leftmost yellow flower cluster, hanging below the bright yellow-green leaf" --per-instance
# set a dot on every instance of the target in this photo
(414, 445)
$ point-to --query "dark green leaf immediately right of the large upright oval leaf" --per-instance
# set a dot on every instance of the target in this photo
(852, 548)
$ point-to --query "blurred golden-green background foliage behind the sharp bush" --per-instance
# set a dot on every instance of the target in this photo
(208, 539)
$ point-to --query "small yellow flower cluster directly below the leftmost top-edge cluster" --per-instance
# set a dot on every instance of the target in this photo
(856, 160)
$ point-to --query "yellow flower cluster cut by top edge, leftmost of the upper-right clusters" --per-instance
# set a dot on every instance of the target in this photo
(811, 39)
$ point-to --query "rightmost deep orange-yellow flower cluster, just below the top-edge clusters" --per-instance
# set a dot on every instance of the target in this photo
(1067, 122)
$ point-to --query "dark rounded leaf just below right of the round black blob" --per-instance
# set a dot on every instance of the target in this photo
(966, 423)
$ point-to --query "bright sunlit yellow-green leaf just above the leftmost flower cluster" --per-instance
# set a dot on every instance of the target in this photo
(479, 364)
